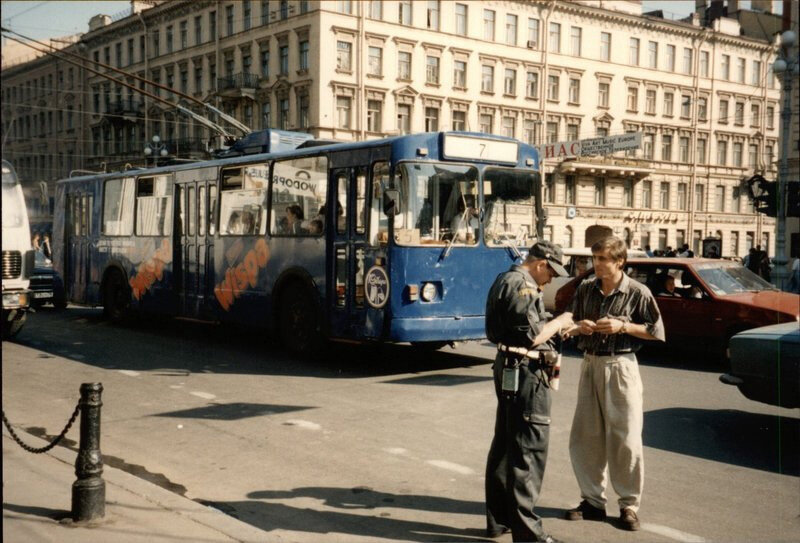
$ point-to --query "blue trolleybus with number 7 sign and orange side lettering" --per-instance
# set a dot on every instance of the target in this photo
(395, 239)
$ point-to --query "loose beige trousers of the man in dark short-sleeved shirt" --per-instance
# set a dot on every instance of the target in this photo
(607, 430)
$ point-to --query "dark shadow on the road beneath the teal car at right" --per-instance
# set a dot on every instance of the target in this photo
(751, 440)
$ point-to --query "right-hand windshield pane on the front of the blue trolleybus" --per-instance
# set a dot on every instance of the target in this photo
(510, 207)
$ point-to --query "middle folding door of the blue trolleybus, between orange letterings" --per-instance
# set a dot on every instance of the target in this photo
(192, 246)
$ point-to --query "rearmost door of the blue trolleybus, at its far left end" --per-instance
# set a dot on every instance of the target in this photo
(76, 255)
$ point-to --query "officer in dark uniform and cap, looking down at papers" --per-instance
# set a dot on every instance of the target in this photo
(518, 324)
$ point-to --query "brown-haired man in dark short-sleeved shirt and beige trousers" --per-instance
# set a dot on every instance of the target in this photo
(613, 314)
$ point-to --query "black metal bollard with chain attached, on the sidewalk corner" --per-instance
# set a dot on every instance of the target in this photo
(89, 490)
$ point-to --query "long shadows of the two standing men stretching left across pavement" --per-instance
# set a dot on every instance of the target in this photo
(368, 523)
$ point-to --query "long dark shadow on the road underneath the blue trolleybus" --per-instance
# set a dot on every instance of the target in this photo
(194, 347)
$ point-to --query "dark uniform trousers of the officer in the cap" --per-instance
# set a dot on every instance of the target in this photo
(517, 458)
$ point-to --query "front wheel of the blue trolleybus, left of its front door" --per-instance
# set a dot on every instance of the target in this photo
(299, 321)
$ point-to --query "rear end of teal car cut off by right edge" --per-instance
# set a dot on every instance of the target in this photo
(765, 364)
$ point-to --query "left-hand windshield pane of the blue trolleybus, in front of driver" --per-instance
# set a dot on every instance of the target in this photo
(440, 204)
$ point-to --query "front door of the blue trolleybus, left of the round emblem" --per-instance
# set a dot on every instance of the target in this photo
(348, 306)
